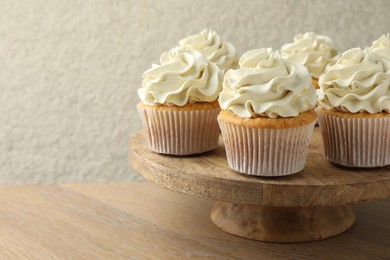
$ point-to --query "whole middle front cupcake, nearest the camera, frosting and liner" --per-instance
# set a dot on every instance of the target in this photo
(267, 115)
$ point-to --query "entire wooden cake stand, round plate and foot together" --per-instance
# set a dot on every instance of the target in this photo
(311, 205)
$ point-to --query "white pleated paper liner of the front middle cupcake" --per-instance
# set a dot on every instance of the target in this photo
(266, 152)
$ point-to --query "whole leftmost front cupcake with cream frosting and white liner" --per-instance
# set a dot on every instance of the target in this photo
(179, 108)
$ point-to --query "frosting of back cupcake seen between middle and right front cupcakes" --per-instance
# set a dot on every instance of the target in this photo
(312, 50)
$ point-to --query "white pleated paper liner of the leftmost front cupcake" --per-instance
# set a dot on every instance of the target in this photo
(180, 132)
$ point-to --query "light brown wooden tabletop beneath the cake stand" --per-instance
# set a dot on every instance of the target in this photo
(143, 221)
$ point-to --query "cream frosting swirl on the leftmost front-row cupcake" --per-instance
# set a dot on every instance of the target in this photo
(182, 77)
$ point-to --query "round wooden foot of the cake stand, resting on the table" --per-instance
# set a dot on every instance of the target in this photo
(282, 224)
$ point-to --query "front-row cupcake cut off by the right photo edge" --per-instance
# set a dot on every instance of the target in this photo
(354, 107)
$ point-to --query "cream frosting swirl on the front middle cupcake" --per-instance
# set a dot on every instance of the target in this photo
(266, 85)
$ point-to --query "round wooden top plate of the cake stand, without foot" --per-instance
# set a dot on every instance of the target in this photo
(208, 175)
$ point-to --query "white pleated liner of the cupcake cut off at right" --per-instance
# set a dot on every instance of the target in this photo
(356, 142)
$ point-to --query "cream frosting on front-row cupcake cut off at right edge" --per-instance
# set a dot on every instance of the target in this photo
(358, 82)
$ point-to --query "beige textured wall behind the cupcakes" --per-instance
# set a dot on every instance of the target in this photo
(69, 70)
